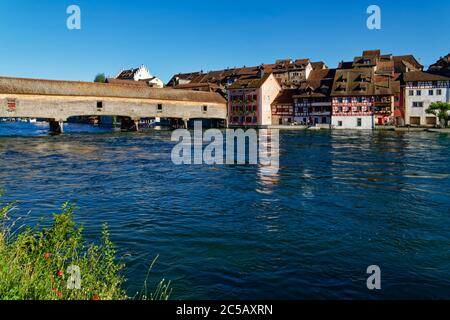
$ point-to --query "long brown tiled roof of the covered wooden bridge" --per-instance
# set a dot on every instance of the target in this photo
(91, 89)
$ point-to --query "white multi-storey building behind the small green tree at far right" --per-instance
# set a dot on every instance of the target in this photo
(421, 90)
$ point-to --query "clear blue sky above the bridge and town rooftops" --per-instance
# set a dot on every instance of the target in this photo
(189, 35)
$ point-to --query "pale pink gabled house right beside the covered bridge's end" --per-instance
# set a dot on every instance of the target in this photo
(250, 100)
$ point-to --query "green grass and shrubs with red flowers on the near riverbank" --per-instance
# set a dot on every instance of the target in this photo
(48, 263)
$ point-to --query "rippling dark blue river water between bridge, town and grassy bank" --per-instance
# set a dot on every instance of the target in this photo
(341, 201)
